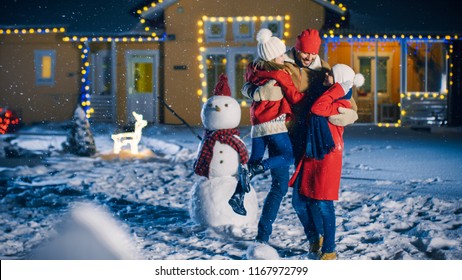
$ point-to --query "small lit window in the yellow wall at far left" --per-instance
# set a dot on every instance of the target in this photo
(45, 61)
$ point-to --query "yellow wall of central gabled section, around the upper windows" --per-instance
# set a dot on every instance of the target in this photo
(181, 85)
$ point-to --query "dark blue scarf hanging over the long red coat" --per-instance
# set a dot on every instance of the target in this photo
(319, 141)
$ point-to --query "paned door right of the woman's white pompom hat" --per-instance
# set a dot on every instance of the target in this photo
(374, 97)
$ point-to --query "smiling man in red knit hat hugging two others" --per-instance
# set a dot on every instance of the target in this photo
(308, 72)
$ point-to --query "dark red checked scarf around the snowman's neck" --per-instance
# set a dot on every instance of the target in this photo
(224, 136)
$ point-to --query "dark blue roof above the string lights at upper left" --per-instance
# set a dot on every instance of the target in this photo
(83, 17)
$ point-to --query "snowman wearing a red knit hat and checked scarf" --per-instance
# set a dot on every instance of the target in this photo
(220, 155)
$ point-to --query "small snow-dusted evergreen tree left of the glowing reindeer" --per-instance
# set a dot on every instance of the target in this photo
(80, 139)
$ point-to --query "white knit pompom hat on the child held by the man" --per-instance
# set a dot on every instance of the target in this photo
(269, 47)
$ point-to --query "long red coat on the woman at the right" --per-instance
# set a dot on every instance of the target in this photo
(320, 179)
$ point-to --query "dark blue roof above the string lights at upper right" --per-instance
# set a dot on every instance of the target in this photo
(426, 17)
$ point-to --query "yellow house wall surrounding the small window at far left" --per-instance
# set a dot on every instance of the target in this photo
(18, 90)
